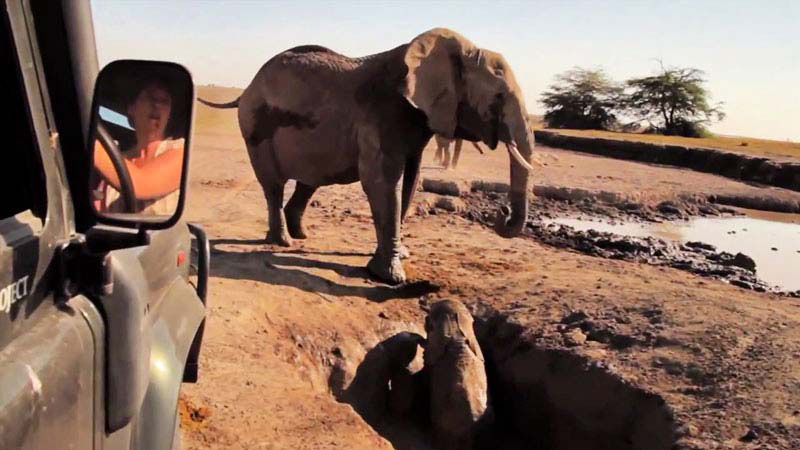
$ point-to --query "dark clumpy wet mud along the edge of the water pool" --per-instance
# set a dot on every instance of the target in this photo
(696, 257)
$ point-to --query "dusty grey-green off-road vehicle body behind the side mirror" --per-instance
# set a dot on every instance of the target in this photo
(58, 354)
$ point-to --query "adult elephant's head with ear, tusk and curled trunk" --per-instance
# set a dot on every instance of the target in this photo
(471, 93)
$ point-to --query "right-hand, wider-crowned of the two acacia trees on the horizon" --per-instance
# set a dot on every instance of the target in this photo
(674, 102)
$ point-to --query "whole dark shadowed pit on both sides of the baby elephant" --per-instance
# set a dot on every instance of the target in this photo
(543, 396)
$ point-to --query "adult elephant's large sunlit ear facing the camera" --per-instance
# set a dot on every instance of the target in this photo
(435, 60)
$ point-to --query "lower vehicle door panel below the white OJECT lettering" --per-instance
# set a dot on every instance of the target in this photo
(47, 400)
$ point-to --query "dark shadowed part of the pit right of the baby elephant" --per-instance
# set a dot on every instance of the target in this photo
(552, 398)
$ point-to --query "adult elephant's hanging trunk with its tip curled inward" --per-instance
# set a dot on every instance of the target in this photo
(509, 225)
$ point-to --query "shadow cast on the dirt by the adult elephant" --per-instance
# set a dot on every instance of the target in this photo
(290, 268)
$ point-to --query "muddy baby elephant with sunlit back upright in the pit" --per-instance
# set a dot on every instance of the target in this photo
(459, 397)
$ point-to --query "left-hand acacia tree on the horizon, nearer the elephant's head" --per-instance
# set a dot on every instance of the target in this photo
(582, 99)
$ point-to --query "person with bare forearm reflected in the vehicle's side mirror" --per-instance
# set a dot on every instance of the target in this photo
(155, 158)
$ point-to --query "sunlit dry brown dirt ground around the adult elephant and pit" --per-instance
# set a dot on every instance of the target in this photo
(288, 327)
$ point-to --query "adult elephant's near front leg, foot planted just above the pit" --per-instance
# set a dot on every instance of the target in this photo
(384, 201)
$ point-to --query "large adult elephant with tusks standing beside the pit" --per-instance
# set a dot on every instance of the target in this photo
(321, 118)
